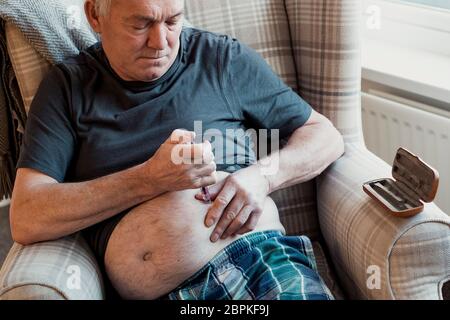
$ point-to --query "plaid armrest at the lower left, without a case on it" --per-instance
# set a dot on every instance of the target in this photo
(60, 269)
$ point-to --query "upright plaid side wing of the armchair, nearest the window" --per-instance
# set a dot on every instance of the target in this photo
(326, 42)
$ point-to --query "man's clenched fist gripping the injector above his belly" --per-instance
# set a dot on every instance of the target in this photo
(181, 164)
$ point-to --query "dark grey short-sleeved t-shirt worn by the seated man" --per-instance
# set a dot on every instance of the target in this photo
(86, 122)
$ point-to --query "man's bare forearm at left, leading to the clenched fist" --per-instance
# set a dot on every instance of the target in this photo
(59, 209)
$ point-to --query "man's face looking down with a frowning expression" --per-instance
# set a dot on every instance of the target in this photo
(141, 38)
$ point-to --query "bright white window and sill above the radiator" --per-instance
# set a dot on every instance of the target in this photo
(406, 46)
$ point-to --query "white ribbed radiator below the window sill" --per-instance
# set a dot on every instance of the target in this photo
(390, 122)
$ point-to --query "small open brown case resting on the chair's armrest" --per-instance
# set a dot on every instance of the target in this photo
(414, 180)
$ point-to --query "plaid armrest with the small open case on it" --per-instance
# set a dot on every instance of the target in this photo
(376, 255)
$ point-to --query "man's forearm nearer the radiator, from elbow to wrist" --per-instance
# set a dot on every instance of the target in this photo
(309, 151)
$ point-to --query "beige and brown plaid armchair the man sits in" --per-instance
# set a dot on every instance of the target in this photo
(362, 252)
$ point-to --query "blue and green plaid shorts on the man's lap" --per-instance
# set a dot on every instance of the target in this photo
(260, 266)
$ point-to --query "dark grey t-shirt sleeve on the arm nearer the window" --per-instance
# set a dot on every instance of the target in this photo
(259, 95)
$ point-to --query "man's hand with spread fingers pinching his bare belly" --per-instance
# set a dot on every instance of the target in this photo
(238, 202)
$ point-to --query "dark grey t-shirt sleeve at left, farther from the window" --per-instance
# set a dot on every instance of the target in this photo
(49, 139)
